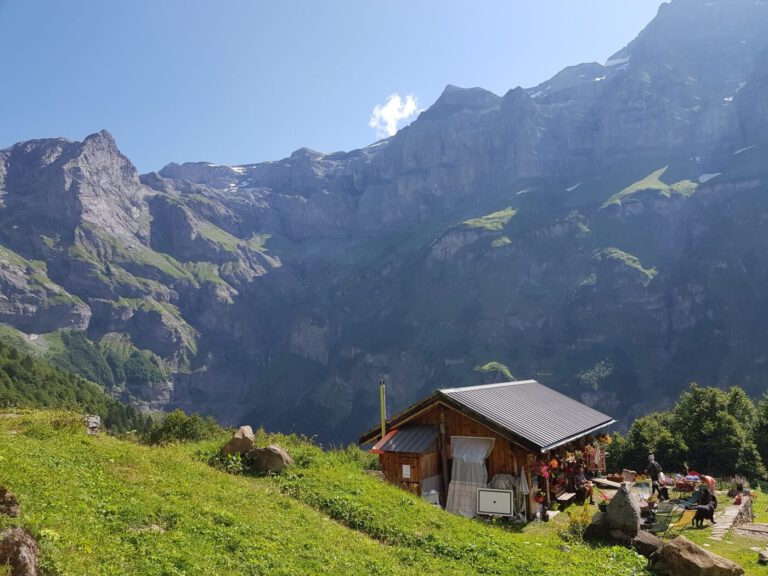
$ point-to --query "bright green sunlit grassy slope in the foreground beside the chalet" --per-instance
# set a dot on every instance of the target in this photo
(102, 506)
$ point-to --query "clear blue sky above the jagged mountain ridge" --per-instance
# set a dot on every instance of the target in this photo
(235, 81)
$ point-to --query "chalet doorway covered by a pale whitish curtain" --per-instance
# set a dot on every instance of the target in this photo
(468, 473)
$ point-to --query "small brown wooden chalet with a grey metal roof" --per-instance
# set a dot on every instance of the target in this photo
(457, 439)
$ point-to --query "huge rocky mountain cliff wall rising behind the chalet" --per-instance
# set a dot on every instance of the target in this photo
(603, 232)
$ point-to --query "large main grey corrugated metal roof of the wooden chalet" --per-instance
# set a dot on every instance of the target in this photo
(531, 411)
